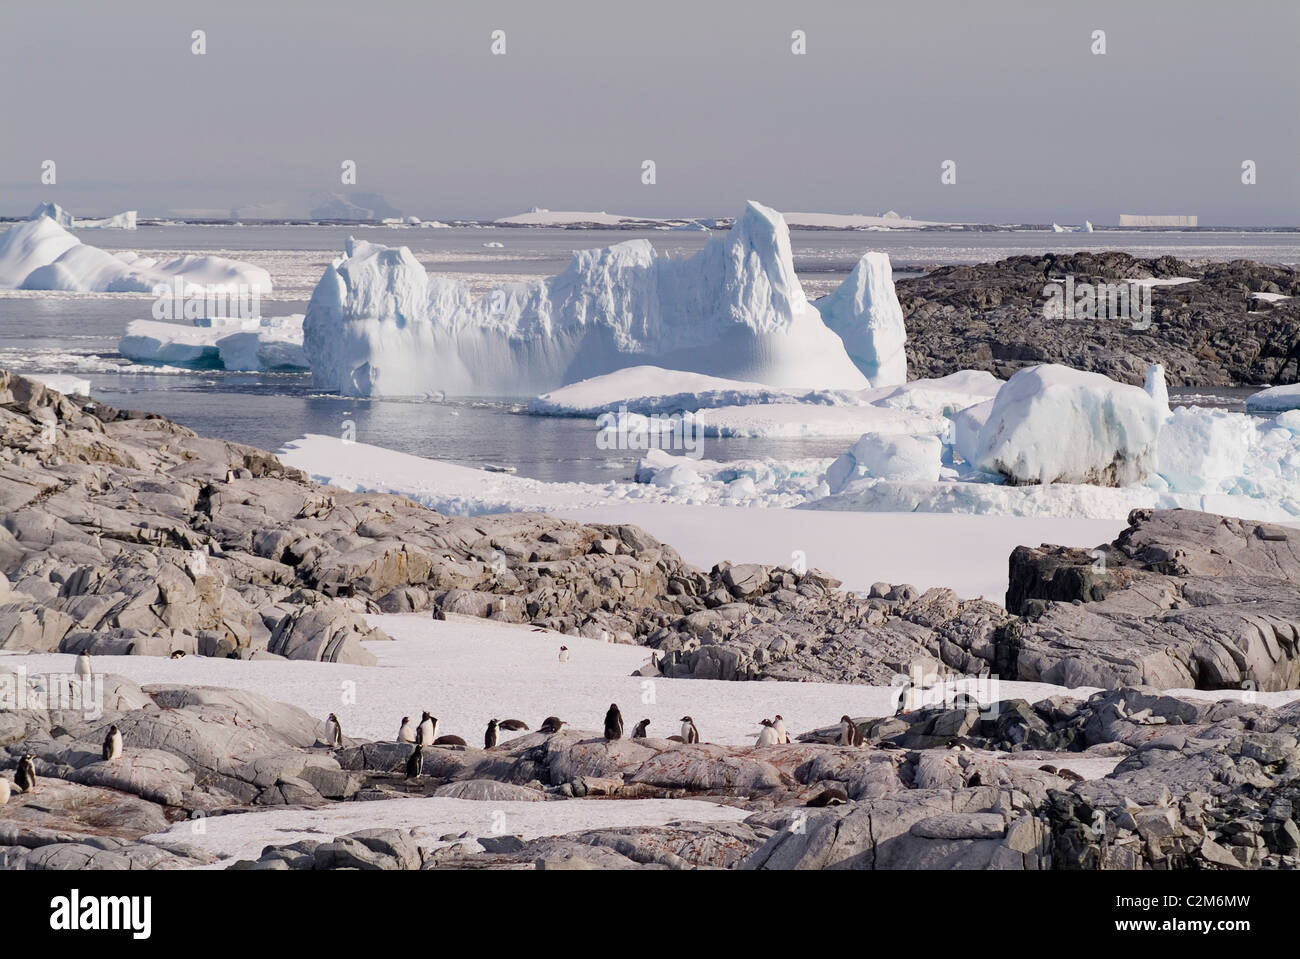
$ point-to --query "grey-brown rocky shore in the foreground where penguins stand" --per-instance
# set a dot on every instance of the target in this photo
(129, 535)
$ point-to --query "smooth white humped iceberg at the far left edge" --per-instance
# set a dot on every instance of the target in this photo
(41, 255)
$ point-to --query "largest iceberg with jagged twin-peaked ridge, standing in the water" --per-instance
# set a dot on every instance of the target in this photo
(379, 326)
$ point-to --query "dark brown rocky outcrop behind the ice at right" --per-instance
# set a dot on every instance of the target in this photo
(1208, 333)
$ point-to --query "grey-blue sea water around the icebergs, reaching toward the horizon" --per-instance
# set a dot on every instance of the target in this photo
(79, 333)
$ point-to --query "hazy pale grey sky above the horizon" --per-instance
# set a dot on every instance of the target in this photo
(1038, 125)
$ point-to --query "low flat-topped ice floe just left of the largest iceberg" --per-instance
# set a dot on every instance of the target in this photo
(255, 345)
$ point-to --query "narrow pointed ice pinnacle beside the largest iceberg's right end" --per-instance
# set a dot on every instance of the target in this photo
(865, 314)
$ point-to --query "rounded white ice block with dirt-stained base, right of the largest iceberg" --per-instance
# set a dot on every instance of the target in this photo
(1054, 424)
